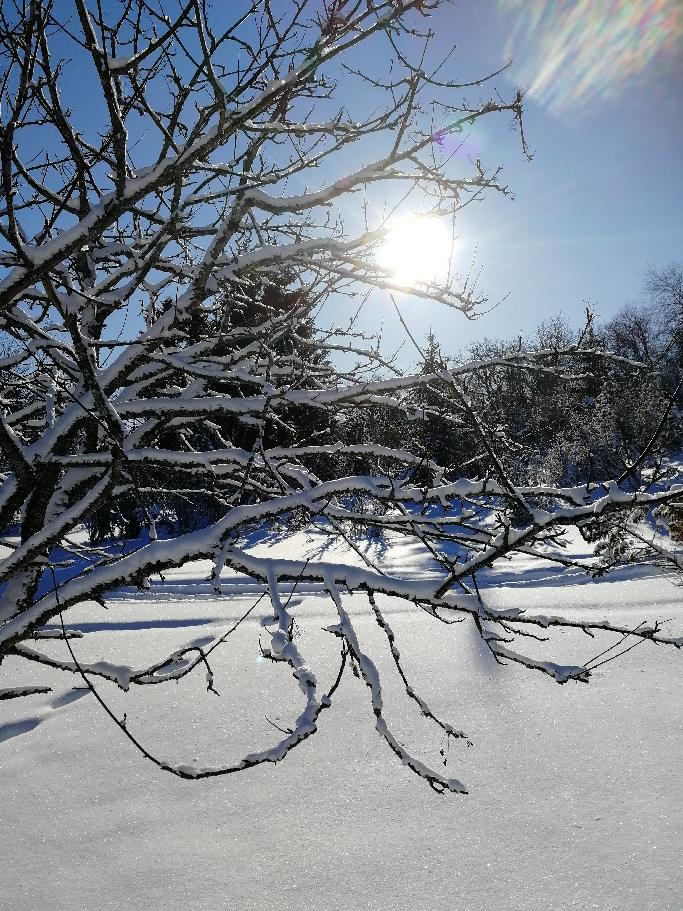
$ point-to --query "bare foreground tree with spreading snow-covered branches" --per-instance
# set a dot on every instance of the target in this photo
(165, 241)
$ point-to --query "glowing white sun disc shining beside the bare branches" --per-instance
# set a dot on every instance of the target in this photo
(416, 251)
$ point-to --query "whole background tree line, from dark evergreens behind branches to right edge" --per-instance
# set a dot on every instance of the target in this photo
(570, 421)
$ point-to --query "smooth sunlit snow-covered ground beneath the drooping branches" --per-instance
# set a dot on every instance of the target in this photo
(575, 791)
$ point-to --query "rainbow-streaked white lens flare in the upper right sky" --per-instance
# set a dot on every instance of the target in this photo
(571, 53)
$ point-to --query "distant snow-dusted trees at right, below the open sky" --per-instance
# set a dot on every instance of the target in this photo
(582, 419)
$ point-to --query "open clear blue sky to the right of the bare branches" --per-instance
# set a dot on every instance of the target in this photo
(601, 201)
